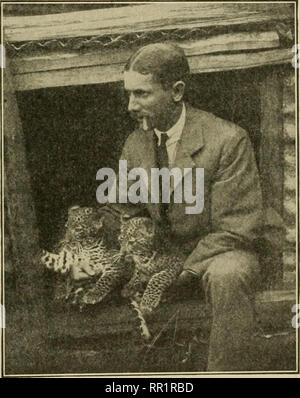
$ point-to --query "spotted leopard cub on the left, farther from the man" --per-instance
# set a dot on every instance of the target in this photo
(83, 243)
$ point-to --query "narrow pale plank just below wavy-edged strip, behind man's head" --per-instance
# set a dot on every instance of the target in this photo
(219, 43)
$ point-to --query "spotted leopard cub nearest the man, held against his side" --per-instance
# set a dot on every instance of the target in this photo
(157, 266)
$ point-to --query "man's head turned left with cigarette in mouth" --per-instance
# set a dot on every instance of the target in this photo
(155, 79)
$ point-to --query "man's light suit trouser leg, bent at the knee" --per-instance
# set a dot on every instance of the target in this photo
(229, 282)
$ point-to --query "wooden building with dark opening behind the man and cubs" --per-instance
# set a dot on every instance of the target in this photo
(63, 78)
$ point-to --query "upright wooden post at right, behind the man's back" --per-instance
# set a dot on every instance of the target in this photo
(272, 162)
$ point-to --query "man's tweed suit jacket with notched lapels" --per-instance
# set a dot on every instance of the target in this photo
(232, 215)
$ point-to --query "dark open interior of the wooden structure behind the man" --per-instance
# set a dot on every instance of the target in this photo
(71, 132)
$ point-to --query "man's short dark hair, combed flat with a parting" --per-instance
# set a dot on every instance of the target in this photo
(165, 61)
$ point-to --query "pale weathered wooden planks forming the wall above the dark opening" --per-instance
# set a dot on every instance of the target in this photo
(91, 46)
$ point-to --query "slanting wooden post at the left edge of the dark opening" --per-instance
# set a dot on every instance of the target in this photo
(20, 215)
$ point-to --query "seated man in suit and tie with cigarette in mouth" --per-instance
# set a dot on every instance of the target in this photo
(218, 242)
